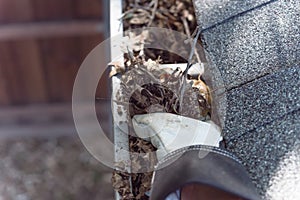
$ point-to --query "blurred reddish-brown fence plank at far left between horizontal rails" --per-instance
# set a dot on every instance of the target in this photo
(24, 68)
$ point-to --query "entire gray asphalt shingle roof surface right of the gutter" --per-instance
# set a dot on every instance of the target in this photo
(255, 46)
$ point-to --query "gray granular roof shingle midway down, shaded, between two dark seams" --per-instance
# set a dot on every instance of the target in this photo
(262, 101)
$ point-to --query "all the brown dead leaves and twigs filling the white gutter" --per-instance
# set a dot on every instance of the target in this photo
(145, 88)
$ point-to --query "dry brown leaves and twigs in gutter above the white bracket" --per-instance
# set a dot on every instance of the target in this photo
(177, 15)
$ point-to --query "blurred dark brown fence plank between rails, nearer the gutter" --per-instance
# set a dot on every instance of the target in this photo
(61, 61)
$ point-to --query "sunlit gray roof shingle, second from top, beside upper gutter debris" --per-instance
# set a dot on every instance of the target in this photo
(255, 43)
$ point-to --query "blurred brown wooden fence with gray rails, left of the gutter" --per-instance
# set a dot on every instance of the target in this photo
(42, 44)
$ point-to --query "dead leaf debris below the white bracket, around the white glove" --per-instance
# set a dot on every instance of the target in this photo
(149, 89)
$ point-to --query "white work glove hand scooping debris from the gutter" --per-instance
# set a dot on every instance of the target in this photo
(168, 132)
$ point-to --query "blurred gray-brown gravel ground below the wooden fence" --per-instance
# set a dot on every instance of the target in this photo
(51, 169)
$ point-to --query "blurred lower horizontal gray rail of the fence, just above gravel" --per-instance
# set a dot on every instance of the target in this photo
(55, 120)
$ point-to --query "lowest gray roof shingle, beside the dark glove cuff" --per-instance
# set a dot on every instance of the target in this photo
(262, 150)
